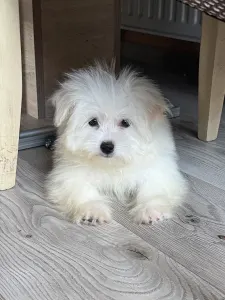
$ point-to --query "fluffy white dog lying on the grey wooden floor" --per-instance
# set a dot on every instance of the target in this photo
(113, 139)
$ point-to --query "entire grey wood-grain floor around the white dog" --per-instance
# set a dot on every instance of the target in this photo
(44, 257)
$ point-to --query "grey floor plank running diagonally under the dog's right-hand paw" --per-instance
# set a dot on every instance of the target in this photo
(191, 238)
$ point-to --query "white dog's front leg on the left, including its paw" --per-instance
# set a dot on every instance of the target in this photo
(78, 201)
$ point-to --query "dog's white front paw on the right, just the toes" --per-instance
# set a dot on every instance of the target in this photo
(148, 214)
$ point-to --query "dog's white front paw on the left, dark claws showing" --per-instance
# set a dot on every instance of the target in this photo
(93, 213)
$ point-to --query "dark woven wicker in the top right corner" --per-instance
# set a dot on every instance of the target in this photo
(215, 8)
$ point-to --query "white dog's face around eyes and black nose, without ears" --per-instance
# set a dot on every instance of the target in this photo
(102, 128)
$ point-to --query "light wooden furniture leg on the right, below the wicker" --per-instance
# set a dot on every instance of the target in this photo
(211, 77)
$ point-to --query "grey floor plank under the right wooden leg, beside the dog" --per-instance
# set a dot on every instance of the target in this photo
(203, 160)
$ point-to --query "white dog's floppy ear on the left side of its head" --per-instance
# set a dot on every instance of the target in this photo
(61, 101)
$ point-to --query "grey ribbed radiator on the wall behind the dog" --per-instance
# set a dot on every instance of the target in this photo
(162, 17)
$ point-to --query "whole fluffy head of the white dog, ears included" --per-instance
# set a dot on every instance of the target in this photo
(102, 116)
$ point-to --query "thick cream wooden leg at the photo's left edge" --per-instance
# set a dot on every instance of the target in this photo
(10, 91)
